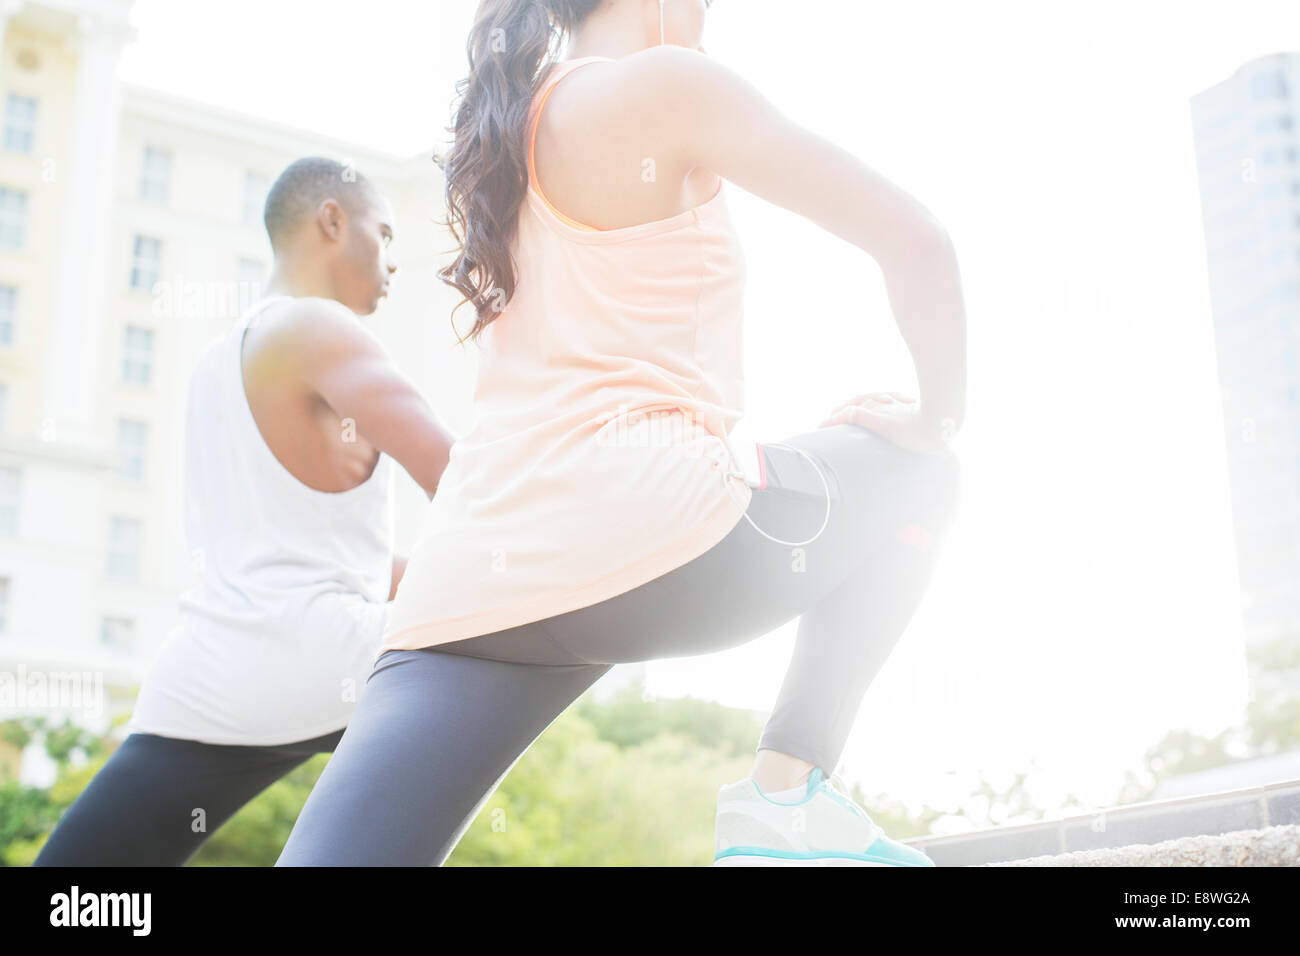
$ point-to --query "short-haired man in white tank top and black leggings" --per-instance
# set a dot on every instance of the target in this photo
(293, 422)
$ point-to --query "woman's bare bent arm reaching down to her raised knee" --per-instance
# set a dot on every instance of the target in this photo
(714, 119)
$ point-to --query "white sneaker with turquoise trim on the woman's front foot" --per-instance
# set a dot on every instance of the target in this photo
(825, 829)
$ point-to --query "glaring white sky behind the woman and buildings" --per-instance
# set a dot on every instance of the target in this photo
(1087, 602)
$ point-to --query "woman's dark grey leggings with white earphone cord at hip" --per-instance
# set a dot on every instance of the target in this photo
(439, 729)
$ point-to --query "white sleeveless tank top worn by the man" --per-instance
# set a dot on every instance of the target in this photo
(275, 643)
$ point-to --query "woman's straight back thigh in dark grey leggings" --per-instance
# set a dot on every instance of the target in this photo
(430, 741)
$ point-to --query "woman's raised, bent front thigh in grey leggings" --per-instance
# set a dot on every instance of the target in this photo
(749, 585)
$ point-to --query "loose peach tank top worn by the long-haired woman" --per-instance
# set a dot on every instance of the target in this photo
(599, 458)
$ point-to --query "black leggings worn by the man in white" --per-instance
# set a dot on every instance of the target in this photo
(158, 799)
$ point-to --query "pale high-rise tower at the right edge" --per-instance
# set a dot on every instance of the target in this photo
(1247, 132)
